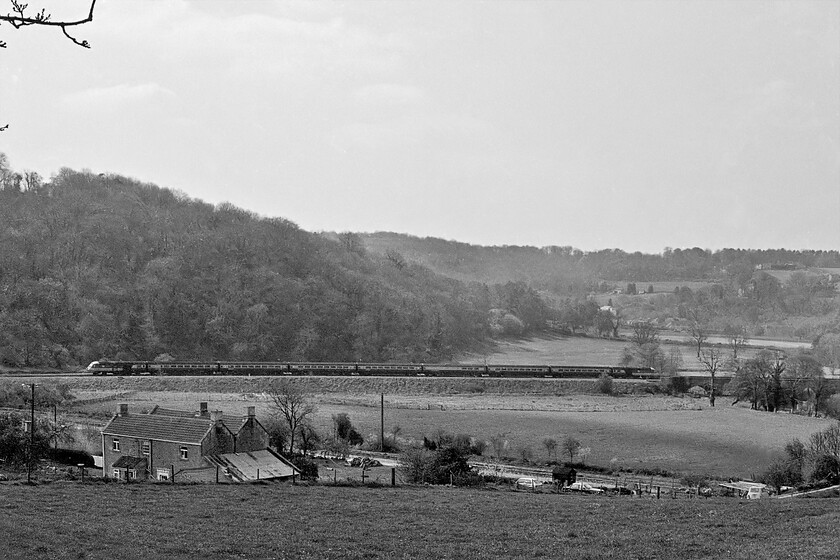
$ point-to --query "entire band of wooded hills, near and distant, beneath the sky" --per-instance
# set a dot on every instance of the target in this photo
(102, 266)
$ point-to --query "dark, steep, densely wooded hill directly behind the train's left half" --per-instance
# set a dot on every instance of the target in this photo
(95, 266)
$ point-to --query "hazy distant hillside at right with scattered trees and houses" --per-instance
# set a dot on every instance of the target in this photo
(781, 293)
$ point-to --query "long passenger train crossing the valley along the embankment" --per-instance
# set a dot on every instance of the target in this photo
(107, 367)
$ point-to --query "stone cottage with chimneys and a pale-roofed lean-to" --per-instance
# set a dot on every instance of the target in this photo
(186, 445)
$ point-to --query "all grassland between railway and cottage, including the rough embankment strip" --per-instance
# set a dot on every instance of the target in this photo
(629, 431)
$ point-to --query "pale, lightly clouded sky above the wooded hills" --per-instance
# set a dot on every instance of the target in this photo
(633, 125)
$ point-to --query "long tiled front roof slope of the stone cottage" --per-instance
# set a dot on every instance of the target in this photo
(160, 427)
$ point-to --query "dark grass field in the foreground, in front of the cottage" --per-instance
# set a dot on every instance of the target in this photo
(278, 521)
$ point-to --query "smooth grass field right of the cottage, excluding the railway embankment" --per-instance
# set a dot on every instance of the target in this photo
(722, 442)
